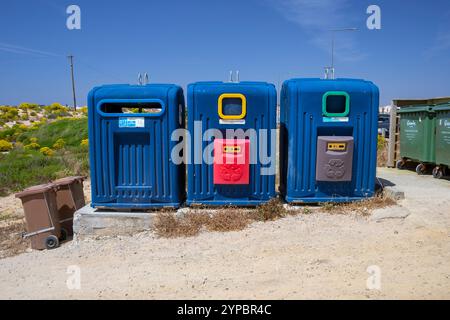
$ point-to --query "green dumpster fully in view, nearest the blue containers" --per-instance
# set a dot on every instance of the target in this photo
(417, 137)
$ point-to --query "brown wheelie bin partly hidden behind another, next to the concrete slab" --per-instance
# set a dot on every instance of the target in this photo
(69, 198)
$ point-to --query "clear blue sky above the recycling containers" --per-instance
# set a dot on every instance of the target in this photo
(186, 41)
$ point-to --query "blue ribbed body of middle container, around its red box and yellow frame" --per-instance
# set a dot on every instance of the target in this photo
(205, 122)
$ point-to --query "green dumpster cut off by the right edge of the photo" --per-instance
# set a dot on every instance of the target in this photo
(442, 140)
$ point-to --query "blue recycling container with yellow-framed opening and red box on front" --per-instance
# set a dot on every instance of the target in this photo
(233, 139)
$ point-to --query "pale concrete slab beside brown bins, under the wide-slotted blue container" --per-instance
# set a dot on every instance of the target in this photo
(90, 222)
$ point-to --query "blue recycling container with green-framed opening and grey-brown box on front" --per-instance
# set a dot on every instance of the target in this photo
(328, 140)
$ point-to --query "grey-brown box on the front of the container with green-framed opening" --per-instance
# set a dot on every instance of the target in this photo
(334, 158)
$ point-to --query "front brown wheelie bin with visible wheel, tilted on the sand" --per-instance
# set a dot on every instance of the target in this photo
(41, 214)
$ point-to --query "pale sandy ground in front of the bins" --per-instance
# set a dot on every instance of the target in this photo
(318, 255)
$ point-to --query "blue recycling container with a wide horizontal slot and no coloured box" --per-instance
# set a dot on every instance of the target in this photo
(130, 146)
